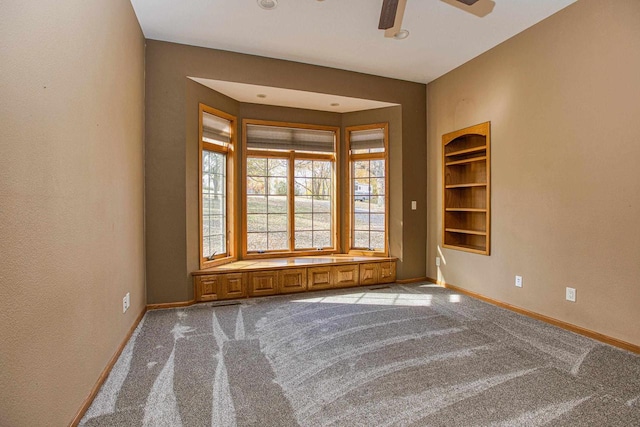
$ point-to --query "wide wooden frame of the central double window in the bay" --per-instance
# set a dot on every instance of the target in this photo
(291, 156)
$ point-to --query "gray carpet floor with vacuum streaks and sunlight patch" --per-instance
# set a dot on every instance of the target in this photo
(403, 355)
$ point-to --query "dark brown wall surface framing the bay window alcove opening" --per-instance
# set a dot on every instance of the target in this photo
(168, 65)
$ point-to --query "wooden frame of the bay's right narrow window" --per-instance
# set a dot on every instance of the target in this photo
(367, 156)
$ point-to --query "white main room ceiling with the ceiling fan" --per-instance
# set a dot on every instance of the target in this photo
(344, 33)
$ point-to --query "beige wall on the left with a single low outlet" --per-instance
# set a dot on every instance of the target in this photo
(71, 200)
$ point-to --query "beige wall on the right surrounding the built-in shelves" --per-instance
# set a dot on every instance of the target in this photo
(564, 100)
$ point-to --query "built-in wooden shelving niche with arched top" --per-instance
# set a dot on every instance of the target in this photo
(467, 189)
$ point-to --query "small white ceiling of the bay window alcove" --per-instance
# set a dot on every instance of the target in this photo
(290, 98)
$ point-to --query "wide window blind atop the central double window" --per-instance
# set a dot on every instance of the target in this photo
(296, 139)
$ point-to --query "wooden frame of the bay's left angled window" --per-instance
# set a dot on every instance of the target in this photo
(229, 151)
